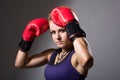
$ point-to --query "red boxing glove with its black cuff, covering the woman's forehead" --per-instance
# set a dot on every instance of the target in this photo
(64, 17)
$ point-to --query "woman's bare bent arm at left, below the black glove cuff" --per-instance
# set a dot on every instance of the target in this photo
(23, 60)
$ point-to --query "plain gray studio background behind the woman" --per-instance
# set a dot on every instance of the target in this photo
(99, 18)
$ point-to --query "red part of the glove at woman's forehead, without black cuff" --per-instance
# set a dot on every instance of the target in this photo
(61, 16)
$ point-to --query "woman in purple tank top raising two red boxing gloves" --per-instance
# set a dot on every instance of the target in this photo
(72, 59)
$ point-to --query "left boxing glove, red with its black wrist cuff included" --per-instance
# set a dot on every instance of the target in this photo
(33, 29)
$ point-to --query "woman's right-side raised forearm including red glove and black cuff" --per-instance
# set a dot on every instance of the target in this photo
(65, 17)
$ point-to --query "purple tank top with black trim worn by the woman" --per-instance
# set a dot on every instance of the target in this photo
(63, 70)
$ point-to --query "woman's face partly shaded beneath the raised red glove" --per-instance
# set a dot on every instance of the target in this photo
(59, 35)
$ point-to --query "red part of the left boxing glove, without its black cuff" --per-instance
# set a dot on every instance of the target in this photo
(35, 28)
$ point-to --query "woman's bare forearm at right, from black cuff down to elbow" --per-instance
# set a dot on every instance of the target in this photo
(83, 52)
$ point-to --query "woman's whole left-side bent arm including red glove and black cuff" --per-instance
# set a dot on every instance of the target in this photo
(32, 30)
